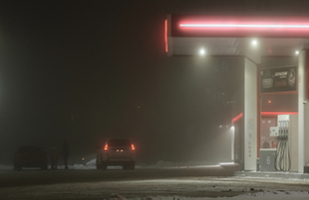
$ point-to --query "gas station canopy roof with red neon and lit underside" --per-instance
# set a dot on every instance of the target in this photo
(242, 36)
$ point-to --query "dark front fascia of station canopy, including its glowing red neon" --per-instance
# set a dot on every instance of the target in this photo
(240, 26)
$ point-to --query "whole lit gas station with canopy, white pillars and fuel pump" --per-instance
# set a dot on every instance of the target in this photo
(270, 110)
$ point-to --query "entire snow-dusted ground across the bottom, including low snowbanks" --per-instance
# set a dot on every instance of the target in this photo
(165, 181)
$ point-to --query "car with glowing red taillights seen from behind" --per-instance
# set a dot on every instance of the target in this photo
(116, 152)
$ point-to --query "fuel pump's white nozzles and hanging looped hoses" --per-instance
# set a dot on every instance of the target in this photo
(283, 158)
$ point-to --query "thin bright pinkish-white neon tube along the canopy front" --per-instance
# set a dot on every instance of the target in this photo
(244, 26)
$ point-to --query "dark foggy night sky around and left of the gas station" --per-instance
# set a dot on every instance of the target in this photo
(88, 70)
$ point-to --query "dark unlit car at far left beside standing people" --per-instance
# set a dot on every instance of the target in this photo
(30, 156)
